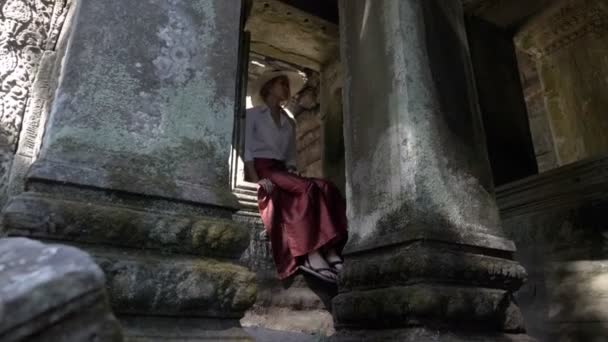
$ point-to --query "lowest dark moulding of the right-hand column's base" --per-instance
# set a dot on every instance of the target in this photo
(432, 305)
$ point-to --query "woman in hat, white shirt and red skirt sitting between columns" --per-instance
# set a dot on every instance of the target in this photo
(305, 217)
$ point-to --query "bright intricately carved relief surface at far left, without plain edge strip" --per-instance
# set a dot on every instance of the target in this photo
(28, 29)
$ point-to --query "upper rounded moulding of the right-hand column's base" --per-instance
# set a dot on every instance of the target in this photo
(432, 263)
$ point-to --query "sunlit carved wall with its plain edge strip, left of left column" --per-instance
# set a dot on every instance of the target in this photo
(29, 31)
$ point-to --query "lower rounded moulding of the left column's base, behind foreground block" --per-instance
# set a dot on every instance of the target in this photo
(147, 283)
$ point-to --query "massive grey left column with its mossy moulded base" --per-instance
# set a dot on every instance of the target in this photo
(134, 163)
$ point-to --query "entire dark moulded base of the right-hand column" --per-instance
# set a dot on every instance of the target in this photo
(430, 284)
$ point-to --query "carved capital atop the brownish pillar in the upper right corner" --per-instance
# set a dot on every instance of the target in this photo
(560, 26)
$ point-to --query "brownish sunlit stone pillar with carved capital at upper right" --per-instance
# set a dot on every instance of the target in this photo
(568, 42)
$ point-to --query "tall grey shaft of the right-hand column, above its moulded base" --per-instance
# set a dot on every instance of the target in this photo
(415, 150)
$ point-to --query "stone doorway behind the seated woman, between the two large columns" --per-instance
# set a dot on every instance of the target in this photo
(309, 45)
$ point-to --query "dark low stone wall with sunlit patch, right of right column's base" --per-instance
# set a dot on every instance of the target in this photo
(558, 222)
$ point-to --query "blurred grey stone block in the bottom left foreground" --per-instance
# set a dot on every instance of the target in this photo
(52, 293)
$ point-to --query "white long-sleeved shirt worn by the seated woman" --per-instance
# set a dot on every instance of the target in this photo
(264, 139)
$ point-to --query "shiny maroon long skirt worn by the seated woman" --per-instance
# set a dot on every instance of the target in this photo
(300, 215)
